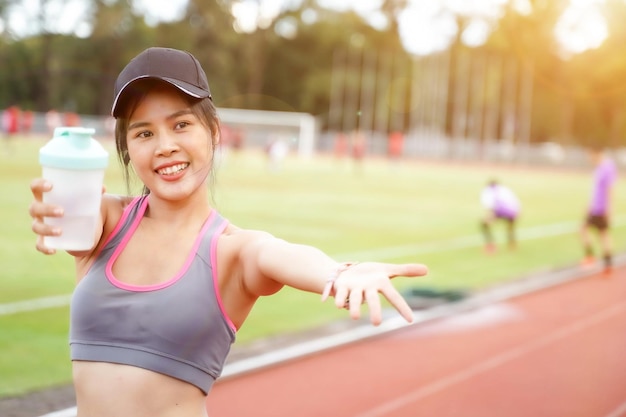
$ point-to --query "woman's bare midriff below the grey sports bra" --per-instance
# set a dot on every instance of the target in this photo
(108, 389)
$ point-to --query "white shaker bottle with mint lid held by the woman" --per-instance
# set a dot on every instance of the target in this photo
(74, 163)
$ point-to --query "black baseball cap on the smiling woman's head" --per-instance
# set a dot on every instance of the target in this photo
(179, 68)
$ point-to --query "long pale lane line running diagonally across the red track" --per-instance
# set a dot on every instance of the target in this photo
(494, 362)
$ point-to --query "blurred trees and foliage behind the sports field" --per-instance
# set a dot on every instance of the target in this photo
(287, 63)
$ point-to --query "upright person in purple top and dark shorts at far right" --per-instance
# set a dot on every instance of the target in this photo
(598, 213)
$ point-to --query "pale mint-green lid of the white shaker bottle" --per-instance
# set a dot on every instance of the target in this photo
(74, 148)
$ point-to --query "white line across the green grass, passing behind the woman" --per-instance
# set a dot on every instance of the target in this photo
(380, 254)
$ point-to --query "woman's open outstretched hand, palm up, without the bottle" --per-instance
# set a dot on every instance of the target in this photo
(363, 282)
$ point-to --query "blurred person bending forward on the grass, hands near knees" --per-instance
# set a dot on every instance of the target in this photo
(501, 205)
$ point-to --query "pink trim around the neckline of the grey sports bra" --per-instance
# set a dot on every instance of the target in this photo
(124, 242)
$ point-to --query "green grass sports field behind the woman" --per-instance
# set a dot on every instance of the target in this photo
(416, 211)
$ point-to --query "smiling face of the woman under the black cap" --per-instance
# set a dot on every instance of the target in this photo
(169, 148)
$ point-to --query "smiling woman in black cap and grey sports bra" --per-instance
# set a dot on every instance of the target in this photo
(168, 281)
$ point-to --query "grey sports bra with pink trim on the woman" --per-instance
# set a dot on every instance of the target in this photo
(178, 328)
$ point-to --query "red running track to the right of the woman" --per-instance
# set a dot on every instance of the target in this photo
(559, 352)
